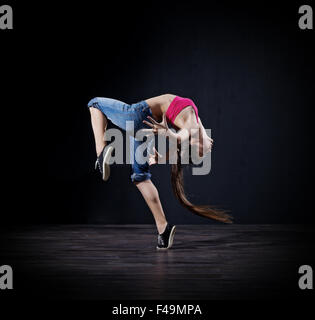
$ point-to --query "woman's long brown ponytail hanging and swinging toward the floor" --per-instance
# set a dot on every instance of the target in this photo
(206, 211)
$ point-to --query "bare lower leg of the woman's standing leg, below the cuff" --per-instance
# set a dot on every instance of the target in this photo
(151, 196)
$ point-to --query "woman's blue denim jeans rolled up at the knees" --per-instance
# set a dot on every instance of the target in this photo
(118, 113)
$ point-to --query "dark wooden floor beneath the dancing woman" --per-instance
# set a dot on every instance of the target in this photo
(121, 262)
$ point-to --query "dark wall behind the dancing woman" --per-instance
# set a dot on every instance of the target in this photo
(248, 67)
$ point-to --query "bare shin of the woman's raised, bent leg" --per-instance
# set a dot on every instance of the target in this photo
(99, 124)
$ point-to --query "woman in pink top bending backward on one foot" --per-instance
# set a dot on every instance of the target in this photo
(179, 112)
